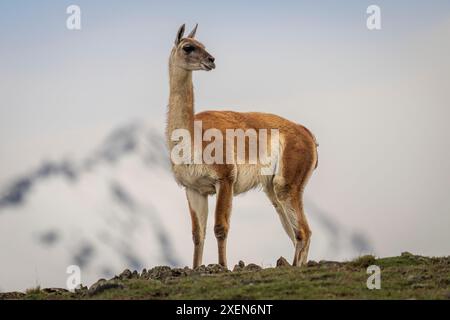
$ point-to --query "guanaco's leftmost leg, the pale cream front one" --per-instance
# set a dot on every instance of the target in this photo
(198, 207)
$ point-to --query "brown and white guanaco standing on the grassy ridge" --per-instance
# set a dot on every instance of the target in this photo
(297, 154)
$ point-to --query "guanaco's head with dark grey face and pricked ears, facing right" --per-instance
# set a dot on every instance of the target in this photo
(189, 54)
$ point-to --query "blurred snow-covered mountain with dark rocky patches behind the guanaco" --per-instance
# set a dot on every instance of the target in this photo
(119, 207)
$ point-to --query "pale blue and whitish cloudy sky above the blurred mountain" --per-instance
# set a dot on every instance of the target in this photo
(378, 101)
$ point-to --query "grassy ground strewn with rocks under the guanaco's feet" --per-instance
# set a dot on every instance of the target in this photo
(404, 277)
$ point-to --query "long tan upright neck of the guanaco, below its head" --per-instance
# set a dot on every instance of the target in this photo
(181, 102)
